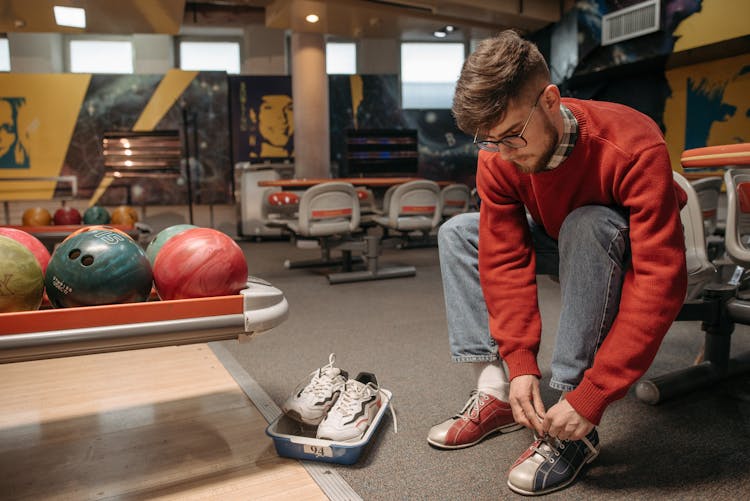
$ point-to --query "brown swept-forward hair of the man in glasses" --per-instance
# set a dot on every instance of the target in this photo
(499, 70)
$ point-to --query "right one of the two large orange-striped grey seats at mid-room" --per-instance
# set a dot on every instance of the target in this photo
(409, 208)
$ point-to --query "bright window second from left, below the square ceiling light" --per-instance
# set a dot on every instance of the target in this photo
(101, 56)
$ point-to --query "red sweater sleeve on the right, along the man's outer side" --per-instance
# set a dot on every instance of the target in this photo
(654, 286)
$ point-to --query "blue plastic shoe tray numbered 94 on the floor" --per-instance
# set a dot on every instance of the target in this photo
(294, 440)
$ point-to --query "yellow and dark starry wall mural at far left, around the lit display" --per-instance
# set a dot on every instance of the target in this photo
(52, 125)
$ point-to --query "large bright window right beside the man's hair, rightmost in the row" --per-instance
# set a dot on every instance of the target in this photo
(428, 74)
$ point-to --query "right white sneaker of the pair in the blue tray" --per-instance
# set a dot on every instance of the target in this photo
(354, 411)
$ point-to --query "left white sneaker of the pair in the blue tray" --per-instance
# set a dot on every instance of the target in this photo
(313, 397)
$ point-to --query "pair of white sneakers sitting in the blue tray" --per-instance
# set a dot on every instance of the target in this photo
(341, 407)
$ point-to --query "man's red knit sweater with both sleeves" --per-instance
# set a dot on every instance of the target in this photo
(620, 158)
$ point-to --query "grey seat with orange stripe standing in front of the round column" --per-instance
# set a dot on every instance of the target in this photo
(328, 214)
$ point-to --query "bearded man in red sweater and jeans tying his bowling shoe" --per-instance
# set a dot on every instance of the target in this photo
(579, 189)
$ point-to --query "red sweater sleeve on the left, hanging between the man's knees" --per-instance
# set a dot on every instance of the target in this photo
(507, 274)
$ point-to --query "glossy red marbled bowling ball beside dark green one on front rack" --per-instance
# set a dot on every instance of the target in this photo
(199, 262)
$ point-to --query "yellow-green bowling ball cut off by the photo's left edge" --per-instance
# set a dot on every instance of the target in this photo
(21, 278)
